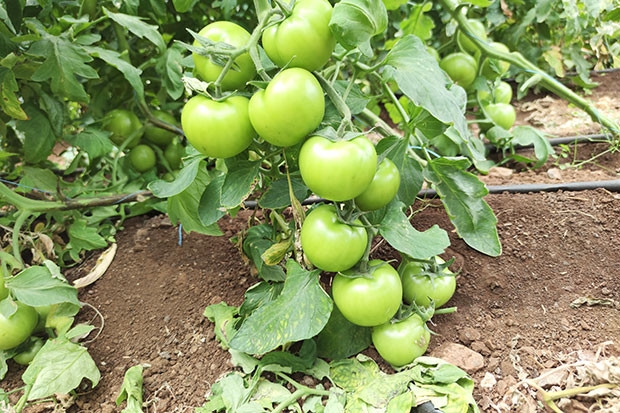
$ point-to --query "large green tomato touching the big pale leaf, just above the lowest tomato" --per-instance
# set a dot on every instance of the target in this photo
(371, 299)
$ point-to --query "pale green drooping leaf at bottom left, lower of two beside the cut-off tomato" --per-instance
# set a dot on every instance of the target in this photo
(59, 367)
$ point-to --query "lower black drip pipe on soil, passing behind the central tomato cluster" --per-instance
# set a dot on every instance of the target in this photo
(610, 185)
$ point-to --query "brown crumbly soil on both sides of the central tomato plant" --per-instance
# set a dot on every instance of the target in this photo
(550, 301)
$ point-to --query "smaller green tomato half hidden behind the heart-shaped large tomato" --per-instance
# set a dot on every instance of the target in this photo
(382, 189)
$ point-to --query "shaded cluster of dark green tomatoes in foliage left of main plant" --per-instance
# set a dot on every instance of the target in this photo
(147, 145)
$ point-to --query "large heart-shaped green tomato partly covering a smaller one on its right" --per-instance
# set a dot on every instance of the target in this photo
(337, 171)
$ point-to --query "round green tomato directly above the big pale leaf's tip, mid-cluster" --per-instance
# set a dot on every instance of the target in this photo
(330, 244)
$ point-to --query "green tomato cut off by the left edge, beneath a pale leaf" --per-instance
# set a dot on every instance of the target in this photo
(17, 327)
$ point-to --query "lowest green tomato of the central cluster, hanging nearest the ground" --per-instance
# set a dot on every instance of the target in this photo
(401, 342)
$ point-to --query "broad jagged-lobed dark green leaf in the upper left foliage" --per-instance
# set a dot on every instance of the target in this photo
(64, 63)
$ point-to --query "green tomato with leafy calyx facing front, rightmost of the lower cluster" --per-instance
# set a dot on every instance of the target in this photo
(423, 282)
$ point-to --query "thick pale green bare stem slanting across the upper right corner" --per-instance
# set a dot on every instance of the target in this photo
(518, 60)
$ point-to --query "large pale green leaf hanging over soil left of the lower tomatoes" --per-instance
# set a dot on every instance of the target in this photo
(300, 312)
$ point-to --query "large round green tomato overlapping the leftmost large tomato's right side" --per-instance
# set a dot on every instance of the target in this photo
(289, 108)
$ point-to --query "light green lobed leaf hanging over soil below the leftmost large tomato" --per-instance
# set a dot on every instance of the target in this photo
(184, 207)
